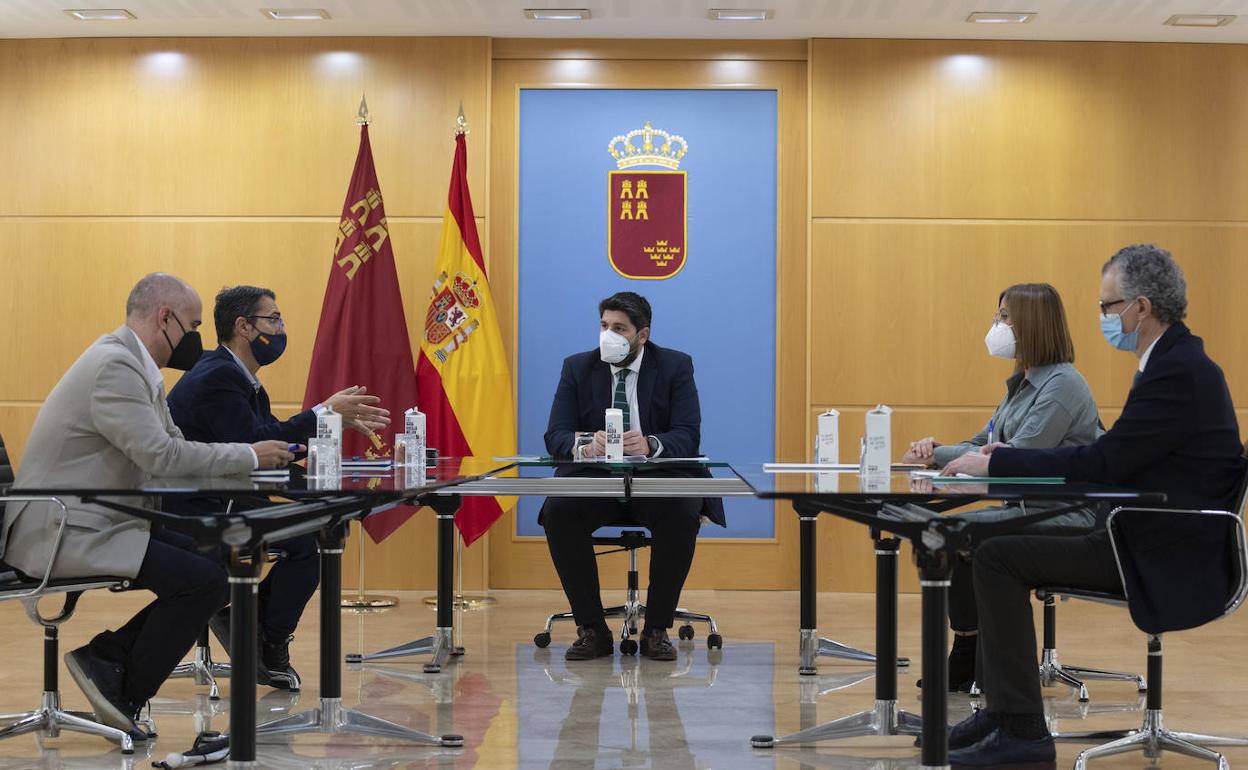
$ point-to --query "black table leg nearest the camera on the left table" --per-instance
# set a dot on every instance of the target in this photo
(245, 568)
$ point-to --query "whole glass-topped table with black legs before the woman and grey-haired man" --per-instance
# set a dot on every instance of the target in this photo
(912, 506)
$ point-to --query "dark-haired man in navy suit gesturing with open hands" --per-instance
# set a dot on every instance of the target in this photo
(220, 400)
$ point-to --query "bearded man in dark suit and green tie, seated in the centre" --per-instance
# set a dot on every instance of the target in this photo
(655, 387)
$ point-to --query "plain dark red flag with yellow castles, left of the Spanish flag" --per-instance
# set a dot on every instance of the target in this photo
(363, 338)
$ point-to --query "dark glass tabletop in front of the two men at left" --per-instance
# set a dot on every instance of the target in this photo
(381, 481)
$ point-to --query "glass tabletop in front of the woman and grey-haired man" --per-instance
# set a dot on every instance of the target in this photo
(783, 480)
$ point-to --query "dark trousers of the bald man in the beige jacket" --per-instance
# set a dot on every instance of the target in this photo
(189, 590)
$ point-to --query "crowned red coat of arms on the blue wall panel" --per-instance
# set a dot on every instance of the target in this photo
(647, 235)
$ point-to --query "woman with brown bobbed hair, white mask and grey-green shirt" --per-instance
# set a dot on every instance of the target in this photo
(1048, 404)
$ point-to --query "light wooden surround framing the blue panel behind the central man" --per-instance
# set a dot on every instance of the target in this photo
(525, 562)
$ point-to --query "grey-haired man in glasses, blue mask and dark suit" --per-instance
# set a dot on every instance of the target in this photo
(1177, 435)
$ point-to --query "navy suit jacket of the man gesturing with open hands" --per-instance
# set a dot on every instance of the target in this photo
(215, 402)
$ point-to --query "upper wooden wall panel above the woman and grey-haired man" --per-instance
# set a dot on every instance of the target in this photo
(1029, 130)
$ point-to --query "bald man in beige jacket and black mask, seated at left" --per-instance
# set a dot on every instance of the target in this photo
(107, 424)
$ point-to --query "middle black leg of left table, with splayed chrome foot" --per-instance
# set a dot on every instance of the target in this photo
(331, 717)
